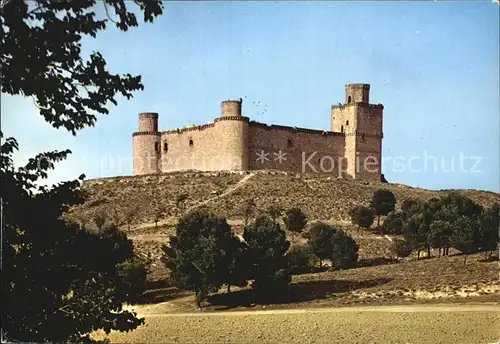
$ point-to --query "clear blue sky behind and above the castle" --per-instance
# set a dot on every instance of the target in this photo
(434, 66)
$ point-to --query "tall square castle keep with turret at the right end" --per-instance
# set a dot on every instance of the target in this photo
(361, 123)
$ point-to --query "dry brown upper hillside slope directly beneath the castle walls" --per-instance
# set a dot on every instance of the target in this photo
(321, 197)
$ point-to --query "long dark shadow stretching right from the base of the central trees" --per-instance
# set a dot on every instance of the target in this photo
(297, 292)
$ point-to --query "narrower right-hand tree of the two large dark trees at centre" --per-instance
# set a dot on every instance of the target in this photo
(267, 246)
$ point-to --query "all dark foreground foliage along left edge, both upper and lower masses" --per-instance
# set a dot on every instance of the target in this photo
(58, 280)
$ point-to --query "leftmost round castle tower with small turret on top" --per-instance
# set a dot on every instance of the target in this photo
(146, 144)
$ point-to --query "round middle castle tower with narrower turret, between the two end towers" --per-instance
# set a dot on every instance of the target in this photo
(232, 129)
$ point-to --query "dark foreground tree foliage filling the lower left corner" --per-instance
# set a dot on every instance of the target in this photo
(59, 281)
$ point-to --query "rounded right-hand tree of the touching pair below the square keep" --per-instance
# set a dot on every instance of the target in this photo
(344, 250)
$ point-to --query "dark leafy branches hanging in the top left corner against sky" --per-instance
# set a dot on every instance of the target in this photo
(42, 56)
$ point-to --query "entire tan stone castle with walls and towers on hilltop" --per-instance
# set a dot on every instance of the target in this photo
(232, 142)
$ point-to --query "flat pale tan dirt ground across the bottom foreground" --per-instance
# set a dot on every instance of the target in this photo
(387, 324)
